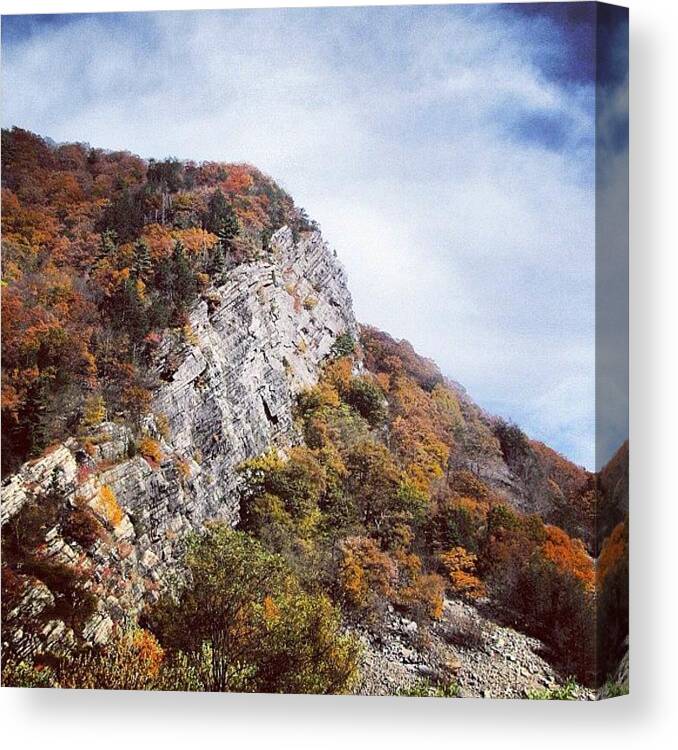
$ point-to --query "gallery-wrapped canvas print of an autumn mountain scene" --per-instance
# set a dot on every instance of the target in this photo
(314, 351)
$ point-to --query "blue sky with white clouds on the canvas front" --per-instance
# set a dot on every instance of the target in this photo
(446, 151)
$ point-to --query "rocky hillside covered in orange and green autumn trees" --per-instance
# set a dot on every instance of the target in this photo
(181, 359)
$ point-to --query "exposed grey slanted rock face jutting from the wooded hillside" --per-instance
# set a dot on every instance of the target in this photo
(228, 392)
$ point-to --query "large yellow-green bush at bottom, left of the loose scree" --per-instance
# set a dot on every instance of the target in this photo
(245, 624)
